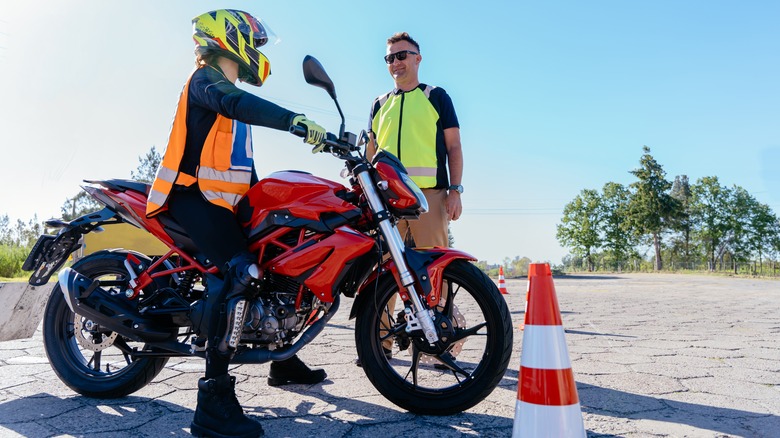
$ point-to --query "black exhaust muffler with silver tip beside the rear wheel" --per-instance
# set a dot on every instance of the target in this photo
(113, 311)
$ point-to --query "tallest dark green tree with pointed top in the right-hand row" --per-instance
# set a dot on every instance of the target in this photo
(651, 208)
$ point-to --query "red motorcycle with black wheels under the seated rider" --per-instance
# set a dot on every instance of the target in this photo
(116, 316)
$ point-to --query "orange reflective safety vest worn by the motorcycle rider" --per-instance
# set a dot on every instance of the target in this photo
(225, 169)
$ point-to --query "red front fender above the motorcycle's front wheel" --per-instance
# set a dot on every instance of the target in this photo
(427, 265)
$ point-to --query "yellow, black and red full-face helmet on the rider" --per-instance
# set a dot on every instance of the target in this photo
(236, 35)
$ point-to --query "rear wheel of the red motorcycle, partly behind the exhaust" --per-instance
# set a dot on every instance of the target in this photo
(91, 360)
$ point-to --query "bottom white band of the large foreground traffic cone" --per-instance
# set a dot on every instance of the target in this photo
(537, 421)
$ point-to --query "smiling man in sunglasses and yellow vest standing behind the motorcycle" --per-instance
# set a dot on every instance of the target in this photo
(417, 123)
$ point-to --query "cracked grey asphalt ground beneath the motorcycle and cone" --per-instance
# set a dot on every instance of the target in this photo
(653, 355)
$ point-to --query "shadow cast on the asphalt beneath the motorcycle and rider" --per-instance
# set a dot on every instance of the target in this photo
(44, 415)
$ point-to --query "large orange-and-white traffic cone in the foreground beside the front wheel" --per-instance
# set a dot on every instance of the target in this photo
(547, 401)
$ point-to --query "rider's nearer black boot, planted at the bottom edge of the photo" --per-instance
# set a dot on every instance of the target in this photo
(219, 414)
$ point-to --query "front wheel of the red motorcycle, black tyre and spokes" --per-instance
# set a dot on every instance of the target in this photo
(475, 327)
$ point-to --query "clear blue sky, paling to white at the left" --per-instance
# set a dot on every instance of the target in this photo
(553, 97)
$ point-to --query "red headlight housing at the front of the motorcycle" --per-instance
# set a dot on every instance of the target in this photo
(402, 196)
